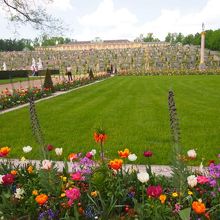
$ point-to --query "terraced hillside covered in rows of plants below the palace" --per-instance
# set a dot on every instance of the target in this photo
(140, 59)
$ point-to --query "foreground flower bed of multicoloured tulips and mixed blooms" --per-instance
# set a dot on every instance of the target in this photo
(99, 188)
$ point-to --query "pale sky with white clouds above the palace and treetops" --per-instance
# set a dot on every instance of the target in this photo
(124, 19)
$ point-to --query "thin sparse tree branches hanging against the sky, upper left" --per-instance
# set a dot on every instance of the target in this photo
(33, 13)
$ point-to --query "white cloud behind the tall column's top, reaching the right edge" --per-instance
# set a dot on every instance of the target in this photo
(174, 21)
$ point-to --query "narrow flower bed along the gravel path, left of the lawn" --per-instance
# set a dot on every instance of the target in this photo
(9, 99)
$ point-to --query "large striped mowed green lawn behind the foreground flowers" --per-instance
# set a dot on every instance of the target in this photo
(134, 112)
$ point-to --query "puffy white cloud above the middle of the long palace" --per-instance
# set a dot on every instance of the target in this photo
(105, 19)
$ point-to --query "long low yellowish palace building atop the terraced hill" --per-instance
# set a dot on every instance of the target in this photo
(102, 45)
